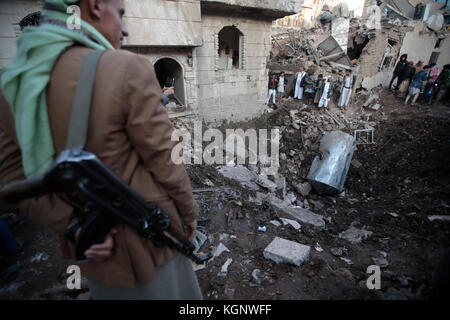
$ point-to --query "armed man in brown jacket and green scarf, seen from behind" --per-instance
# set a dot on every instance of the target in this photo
(128, 130)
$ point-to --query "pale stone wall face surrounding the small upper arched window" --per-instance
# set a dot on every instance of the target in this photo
(235, 94)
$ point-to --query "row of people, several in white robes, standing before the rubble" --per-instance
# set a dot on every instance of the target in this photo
(318, 92)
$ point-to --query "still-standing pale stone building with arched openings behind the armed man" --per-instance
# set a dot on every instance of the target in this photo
(214, 52)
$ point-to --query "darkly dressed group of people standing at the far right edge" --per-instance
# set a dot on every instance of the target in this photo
(426, 79)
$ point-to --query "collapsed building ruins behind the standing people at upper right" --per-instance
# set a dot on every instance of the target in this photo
(370, 44)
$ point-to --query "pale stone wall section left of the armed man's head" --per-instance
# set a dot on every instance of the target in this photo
(11, 13)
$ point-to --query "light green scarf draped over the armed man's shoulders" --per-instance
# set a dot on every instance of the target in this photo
(25, 80)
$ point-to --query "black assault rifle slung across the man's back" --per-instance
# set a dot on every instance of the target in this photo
(103, 200)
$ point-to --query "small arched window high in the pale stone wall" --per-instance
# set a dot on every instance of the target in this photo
(230, 48)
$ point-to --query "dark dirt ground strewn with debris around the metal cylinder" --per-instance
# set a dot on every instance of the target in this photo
(402, 181)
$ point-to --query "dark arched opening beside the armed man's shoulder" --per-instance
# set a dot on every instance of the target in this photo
(169, 71)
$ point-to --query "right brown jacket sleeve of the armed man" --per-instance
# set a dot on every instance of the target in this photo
(150, 130)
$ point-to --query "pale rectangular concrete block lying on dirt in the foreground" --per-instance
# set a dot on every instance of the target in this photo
(286, 251)
